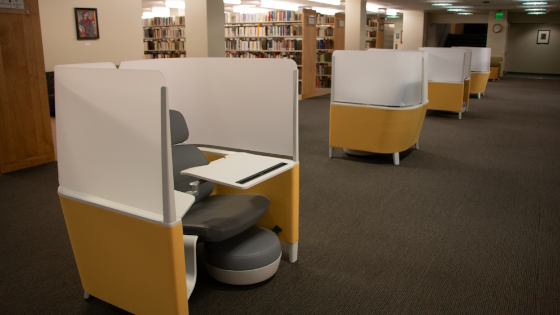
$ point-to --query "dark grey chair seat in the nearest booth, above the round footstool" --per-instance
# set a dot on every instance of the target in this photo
(220, 217)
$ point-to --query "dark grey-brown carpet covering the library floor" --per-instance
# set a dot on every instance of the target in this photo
(469, 224)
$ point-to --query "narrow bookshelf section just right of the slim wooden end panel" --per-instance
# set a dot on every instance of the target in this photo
(330, 37)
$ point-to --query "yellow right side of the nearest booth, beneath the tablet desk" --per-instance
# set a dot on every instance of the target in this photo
(283, 192)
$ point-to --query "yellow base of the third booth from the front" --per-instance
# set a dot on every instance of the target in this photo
(446, 96)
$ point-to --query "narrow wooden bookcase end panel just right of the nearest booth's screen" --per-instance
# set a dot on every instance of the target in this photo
(309, 54)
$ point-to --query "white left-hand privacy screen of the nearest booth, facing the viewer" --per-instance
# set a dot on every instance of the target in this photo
(108, 129)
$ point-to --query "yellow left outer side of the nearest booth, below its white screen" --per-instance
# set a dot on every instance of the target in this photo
(133, 264)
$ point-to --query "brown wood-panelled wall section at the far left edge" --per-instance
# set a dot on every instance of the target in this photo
(25, 128)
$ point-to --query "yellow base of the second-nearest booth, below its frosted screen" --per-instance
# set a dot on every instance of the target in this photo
(375, 129)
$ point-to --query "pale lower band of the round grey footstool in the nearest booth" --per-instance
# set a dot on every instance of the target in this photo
(244, 277)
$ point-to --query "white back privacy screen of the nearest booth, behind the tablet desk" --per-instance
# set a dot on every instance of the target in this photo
(248, 104)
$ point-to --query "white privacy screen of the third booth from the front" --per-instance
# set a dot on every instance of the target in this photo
(446, 65)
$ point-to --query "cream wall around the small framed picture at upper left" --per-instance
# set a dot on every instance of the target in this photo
(120, 32)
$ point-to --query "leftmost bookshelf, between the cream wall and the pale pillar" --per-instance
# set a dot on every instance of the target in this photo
(164, 37)
